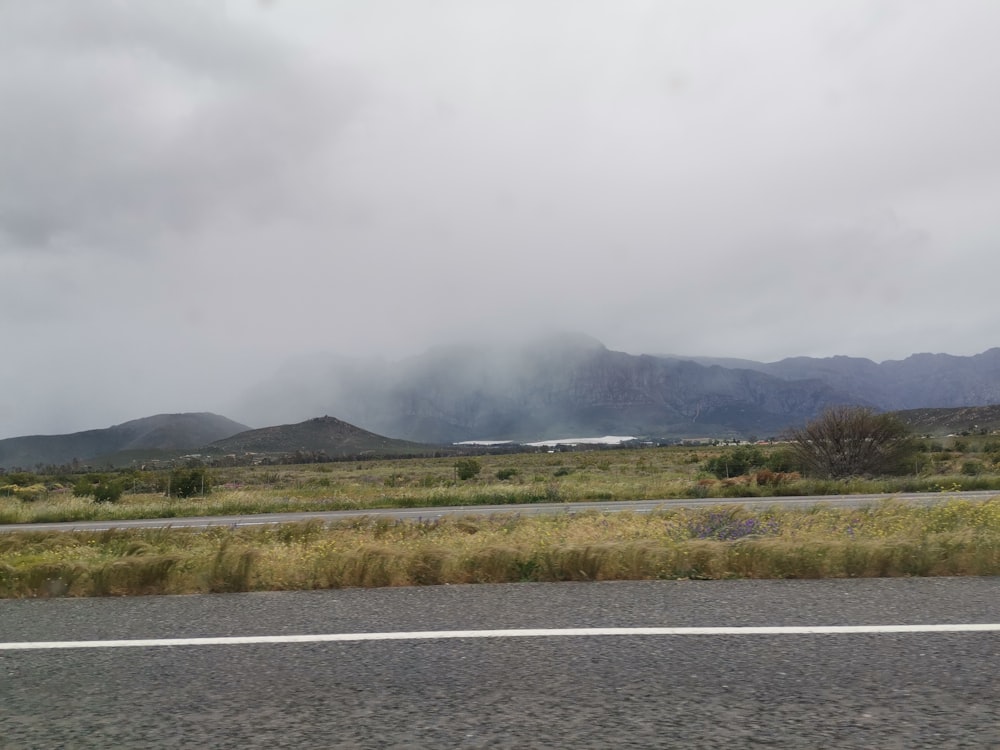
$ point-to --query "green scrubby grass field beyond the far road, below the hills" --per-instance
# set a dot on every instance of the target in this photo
(635, 474)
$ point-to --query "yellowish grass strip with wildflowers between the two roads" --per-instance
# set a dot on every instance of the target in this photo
(887, 539)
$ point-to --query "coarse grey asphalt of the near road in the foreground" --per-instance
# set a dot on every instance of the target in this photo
(897, 690)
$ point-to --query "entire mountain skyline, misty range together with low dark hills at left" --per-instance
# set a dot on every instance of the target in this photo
(563, 386)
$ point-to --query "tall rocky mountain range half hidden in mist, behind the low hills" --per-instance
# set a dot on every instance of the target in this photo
(574, 385)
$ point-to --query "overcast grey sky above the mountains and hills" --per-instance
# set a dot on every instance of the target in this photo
(194, 193)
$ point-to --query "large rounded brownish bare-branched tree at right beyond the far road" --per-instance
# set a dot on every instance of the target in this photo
(850, 441)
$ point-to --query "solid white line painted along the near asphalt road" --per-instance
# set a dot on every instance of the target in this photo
(434, 635)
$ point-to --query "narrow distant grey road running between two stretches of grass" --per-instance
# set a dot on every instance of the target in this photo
(531, 509)
